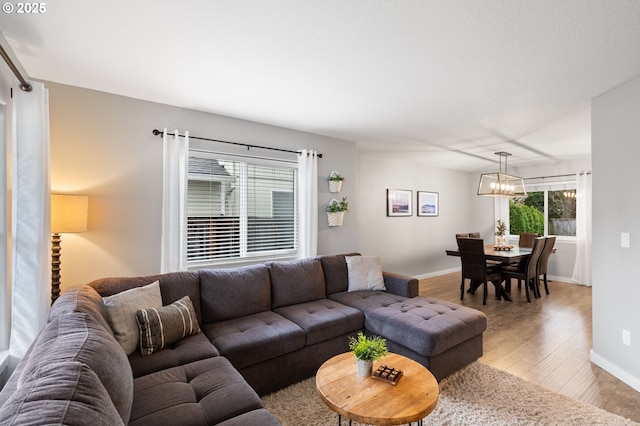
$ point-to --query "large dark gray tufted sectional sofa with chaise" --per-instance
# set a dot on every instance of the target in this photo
(263, 327)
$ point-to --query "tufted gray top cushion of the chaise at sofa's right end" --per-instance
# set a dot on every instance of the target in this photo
(426, 326)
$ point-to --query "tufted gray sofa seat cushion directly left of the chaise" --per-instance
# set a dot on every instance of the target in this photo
(323, 319)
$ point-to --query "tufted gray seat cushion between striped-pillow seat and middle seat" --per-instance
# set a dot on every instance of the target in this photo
(255, 338)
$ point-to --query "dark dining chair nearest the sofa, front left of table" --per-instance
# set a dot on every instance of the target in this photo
(474, 266)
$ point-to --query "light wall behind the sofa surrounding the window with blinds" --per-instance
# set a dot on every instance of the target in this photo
(102, 146)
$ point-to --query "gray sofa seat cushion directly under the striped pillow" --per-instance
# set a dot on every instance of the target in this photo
(189, 349)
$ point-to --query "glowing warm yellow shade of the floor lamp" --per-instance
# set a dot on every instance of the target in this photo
(69, 213)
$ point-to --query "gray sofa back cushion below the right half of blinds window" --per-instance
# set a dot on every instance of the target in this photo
(297, 281)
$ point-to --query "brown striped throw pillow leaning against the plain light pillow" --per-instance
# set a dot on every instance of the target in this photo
(162, 327)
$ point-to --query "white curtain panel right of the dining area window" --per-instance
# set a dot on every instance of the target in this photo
(582, 268)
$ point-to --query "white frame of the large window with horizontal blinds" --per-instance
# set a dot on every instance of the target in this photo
(247, 257)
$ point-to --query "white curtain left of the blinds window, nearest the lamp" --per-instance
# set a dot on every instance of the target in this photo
(174, 202)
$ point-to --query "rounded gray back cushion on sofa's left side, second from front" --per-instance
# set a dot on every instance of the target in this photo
(77, 337)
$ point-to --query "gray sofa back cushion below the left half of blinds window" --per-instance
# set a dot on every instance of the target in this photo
(233, 293)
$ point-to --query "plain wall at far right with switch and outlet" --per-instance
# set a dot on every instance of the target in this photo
(615, 142)
